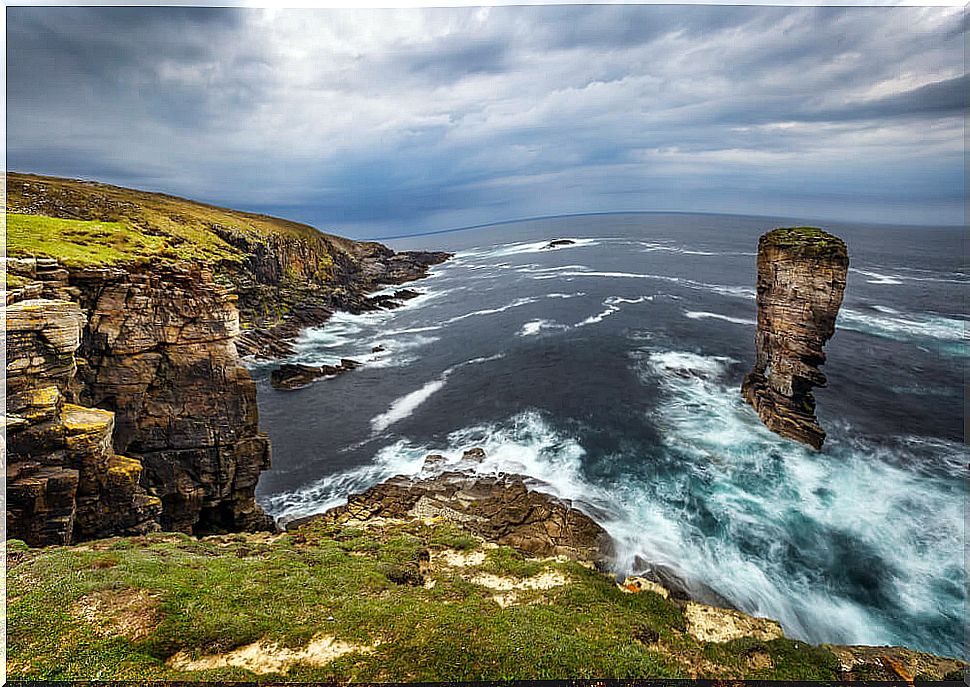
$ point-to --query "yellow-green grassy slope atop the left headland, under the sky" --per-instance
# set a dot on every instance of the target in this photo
(88, 223)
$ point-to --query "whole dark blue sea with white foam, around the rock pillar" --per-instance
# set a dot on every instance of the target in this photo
(609, 370)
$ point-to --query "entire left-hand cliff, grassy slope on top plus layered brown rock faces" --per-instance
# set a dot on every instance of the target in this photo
(129, 408)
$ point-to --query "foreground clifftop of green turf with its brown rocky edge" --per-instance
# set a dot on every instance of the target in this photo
(449, 576)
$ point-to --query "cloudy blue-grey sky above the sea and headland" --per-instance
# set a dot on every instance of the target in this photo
(374, 123)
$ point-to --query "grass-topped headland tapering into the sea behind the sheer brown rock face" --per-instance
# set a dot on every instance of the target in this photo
(286, 275)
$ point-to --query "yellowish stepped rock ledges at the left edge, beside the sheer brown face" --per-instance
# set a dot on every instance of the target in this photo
(64, 480)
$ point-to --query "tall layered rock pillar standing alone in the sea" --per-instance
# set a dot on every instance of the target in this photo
(801, 280)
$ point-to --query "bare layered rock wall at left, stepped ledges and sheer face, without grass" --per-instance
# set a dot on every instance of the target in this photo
(130, 409)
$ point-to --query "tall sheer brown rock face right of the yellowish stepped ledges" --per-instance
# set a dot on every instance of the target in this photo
(159, 351)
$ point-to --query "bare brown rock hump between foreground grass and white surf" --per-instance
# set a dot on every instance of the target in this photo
(499, 508)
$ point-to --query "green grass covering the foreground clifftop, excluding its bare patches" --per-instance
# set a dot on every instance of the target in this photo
(217, 594)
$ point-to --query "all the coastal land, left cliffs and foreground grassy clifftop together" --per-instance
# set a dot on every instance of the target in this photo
(136, 549)
